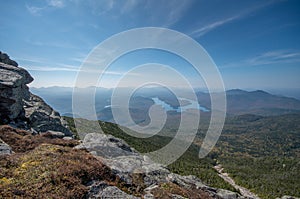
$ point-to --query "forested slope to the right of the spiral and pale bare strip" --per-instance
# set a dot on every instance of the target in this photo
(262, 153)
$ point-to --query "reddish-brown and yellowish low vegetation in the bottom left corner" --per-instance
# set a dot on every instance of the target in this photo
(50, 171)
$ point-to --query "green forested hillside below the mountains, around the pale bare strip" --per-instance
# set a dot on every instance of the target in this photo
(252, 149)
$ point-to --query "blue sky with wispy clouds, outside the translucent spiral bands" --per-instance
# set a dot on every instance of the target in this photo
(254, 44)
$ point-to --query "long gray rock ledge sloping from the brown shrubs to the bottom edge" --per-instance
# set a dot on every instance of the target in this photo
(142, 174)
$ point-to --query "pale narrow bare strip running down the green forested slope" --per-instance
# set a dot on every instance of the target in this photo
(227, 178)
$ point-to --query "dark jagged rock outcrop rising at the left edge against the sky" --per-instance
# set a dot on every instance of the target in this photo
(19, 107)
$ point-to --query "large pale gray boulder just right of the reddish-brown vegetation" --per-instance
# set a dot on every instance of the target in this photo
(124, 160)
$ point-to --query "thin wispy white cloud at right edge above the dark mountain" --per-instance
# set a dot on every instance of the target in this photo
(267, 58)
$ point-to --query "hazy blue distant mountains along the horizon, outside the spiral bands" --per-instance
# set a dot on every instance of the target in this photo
(238, 101)
